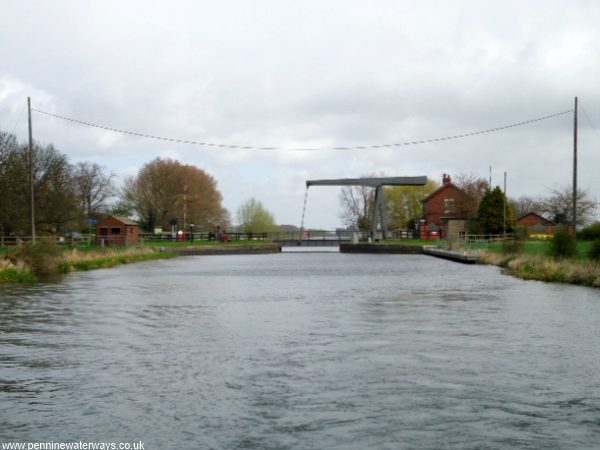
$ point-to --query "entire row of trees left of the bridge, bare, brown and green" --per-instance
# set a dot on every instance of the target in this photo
(68, 196)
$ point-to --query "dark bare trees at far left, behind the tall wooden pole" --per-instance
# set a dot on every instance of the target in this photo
(65, 193)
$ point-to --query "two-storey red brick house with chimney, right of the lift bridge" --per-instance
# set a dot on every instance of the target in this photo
(444, 211)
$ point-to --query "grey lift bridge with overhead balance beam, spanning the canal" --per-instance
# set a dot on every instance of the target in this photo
(378, 217)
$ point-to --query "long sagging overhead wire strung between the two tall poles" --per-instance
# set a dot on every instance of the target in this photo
(250, 147)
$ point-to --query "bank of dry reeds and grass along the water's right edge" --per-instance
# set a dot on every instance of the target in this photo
(538, 266)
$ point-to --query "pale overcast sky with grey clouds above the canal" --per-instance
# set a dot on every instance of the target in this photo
(310, 74)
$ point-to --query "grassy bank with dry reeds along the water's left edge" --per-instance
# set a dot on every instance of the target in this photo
(31, 263)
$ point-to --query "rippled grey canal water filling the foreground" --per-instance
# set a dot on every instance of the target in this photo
(301, 351)
